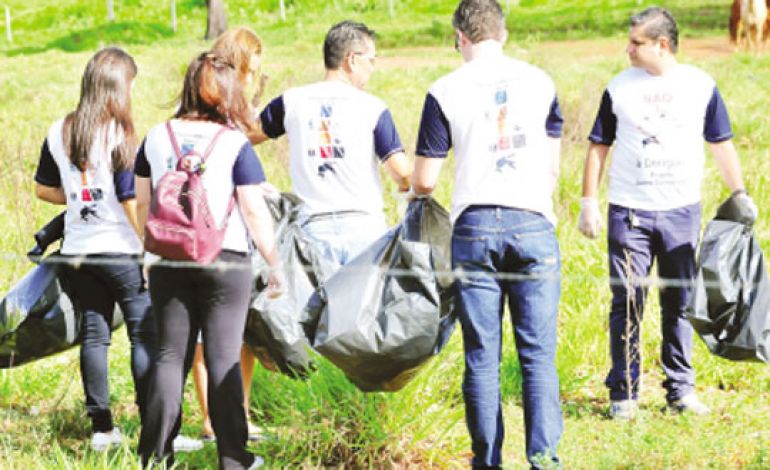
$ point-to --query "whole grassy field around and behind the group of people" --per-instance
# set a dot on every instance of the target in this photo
(325, 421)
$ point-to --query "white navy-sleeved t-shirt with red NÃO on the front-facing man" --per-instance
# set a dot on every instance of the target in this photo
(657, 125)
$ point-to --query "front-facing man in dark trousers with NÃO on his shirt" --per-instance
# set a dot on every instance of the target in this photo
(656, 114)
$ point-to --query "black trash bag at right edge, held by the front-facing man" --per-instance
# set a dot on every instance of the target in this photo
(731, 303)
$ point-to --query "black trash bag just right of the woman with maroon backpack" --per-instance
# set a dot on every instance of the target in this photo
(274, 326)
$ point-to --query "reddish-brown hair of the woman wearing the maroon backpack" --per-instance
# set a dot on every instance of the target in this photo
(213, 92)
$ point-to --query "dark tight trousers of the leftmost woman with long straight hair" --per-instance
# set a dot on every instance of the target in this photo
(99, 282)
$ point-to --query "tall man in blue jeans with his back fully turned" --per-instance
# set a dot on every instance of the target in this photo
(502, 117)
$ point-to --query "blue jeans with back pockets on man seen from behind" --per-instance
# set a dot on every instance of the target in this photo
(489, 241)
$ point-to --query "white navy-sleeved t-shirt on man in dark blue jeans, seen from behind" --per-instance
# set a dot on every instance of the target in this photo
(498, 113)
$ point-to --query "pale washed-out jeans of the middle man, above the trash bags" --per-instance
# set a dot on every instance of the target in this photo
(344, 235)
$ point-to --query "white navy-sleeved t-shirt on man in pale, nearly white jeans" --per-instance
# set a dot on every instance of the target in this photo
(337, 135)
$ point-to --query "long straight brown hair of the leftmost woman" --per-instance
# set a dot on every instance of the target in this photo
(105, 96)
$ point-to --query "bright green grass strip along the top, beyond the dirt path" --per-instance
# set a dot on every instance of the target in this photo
(82, 25)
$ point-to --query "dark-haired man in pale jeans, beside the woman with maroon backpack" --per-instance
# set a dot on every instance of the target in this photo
(338, 136)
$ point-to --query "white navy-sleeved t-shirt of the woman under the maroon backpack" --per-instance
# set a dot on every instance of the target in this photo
(232, 163)
